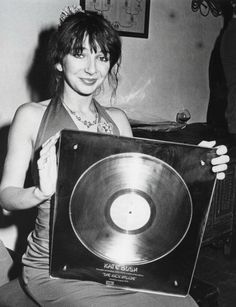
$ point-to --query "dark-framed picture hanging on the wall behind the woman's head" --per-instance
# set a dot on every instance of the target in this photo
(129, 17)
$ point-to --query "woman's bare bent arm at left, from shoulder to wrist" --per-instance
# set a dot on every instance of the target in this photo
(21, 139)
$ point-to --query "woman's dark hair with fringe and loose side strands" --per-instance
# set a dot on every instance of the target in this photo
(69, 38)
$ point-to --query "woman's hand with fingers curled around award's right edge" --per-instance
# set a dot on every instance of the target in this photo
(219, 164)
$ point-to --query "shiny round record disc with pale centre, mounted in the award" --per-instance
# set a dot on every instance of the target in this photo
(130, 208)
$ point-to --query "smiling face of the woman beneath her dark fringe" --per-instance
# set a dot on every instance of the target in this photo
(84, 73)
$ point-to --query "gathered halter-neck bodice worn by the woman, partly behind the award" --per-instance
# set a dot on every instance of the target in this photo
(55, 118)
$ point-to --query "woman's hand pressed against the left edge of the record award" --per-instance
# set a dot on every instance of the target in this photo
(47, 167)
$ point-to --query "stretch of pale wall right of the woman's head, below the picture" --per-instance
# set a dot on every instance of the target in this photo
(171, 67)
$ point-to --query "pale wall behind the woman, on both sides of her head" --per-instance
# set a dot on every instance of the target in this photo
(159, 75)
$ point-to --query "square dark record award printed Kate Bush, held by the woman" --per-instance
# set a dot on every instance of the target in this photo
(129, 212)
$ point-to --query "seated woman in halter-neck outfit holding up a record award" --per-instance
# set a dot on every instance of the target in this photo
(85, 51)
